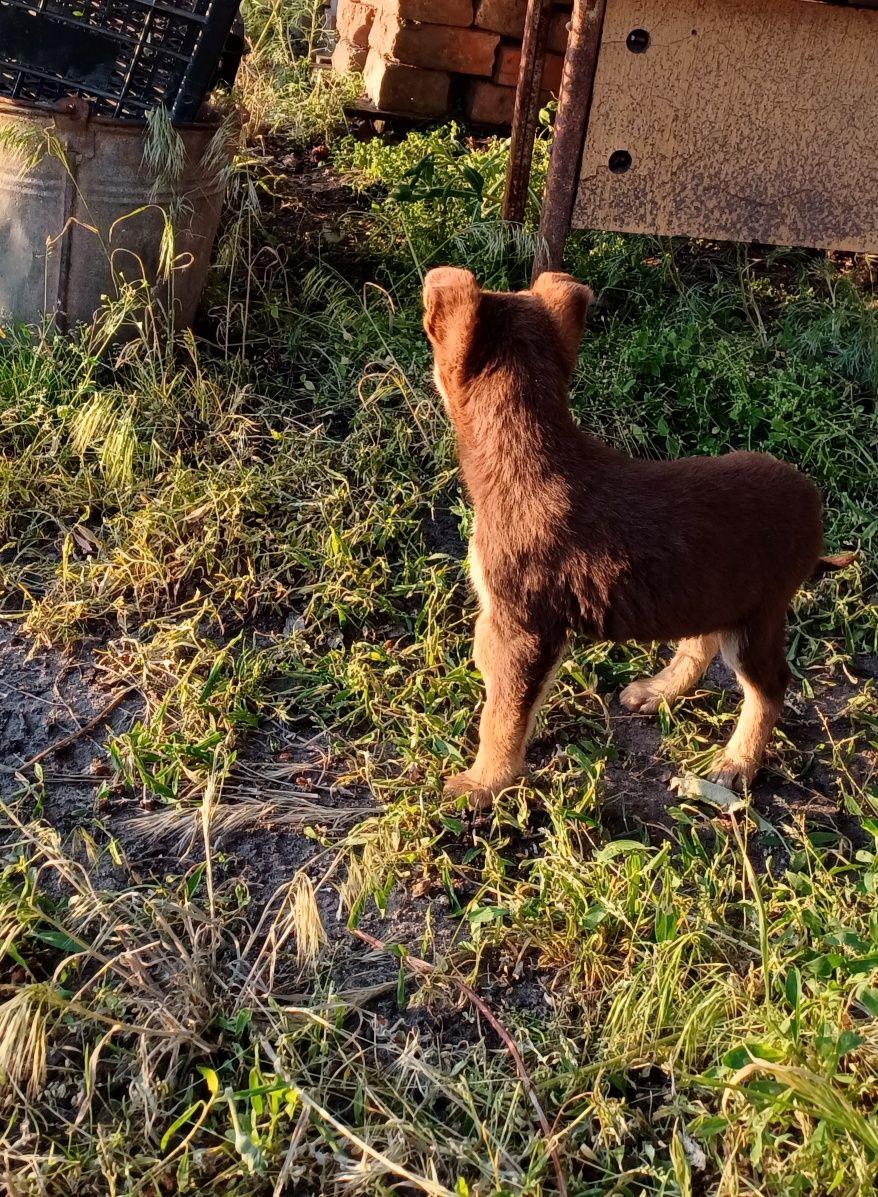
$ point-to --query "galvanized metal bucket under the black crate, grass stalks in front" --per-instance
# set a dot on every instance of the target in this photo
(83, 218)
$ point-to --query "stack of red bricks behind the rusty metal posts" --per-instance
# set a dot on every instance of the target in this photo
(432, 58)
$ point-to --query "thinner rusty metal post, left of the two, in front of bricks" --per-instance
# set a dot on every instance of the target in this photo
(527, 113)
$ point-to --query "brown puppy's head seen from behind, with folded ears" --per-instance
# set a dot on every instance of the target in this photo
(510, 337)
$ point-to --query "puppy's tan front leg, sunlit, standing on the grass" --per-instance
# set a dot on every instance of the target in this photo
(517, 665)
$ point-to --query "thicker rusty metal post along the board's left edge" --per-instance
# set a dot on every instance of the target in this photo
(571, 127)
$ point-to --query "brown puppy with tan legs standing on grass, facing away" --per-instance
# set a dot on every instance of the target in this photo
(572, 536)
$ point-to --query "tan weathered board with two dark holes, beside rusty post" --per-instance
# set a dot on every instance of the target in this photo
(745, 120)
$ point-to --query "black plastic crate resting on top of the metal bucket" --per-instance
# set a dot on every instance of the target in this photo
(125, 57)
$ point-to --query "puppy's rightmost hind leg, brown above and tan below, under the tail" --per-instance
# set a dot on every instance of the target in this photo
(758, 657)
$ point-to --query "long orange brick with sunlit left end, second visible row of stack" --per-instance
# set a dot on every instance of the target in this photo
(462, 51)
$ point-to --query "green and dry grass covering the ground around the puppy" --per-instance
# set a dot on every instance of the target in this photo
(260, 536)
